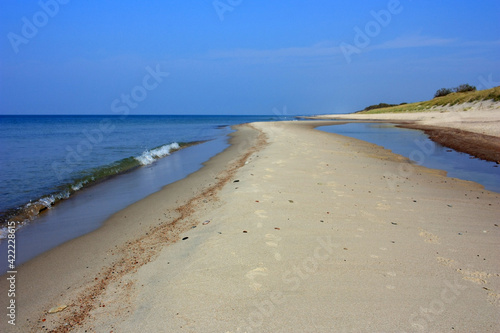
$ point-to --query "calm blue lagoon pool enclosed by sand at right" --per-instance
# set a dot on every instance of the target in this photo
(416, 146)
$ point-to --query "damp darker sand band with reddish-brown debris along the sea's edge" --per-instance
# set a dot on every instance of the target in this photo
(91, 268)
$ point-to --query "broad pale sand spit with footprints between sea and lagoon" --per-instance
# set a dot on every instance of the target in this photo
(308, 232)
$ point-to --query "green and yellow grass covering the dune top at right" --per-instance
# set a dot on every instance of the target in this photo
(450, 99)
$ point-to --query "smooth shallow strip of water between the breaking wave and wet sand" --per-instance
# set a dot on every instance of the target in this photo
(90, 207)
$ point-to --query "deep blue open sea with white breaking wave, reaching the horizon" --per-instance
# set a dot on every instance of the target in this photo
(47, 158)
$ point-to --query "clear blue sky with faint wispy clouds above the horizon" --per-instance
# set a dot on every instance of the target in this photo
(240, 56)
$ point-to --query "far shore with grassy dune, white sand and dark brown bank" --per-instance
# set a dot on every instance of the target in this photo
(466, 122)
